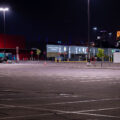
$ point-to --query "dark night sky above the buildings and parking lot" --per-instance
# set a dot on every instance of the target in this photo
(59, 20)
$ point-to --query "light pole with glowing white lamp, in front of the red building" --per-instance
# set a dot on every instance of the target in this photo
(4, 10)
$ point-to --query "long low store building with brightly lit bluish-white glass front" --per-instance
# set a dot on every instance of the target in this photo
(76, 53)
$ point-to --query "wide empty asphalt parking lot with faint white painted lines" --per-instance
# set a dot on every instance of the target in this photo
(59, 91)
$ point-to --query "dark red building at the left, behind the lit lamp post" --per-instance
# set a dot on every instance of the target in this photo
(8, 44)
